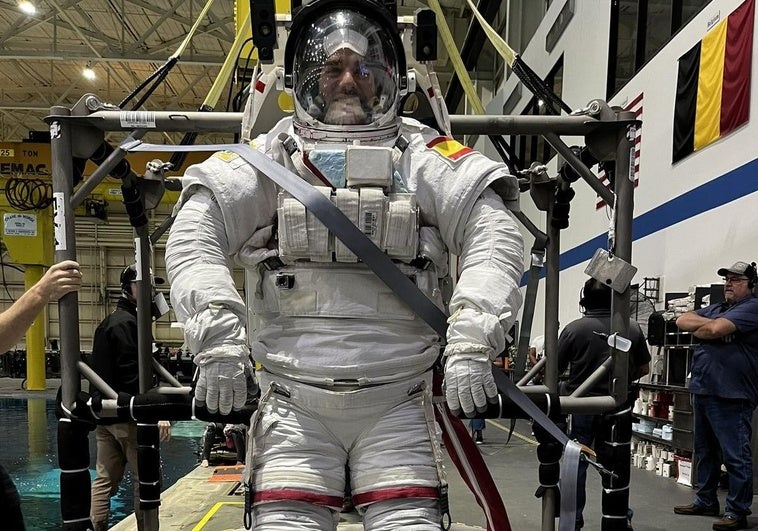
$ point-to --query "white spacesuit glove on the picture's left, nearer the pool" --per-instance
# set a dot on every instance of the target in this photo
(221, 385)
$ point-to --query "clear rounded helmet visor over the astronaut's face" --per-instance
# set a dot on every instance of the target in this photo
(345, 72)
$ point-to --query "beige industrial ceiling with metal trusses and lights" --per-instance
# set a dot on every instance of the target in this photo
(123, 41)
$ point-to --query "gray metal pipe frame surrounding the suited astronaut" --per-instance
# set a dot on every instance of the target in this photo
(600, 120)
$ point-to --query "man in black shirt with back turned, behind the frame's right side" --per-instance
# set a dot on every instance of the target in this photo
(582, 348)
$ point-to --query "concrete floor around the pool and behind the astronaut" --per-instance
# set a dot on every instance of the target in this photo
(514, 468)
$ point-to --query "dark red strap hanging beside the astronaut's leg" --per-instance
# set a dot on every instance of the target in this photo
(472, 468)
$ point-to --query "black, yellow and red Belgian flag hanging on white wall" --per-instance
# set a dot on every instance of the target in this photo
(713, 84)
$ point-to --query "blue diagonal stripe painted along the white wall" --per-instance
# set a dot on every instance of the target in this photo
(713, 194)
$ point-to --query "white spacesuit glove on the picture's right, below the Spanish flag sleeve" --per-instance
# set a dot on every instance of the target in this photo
(469, 383)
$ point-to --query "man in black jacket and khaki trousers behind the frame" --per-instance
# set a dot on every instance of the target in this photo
(115, 359)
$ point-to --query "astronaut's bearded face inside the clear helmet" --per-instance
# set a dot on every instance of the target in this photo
(347, 88)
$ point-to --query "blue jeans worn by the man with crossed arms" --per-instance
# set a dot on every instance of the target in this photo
(722, 434)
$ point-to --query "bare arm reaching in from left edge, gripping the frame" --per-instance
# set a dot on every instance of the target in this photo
(60, 279)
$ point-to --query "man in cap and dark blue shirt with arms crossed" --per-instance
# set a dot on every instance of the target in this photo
(724, 389)
